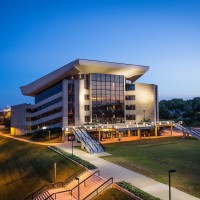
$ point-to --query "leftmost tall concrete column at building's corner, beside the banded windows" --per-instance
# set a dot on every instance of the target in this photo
(65, 107)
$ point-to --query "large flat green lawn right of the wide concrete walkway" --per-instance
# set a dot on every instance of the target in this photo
(154, 158)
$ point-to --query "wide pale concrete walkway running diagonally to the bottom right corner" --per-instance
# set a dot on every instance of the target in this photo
(119, 173)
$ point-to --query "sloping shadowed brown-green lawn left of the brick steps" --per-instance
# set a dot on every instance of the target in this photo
(26, 167)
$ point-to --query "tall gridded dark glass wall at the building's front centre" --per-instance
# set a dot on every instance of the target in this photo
(107, 98)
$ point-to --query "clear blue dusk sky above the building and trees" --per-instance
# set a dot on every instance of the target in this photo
(38, 36)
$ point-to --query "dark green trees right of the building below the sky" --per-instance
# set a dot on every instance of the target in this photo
(187, 111)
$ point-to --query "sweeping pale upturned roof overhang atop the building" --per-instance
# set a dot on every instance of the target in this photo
(132, 72)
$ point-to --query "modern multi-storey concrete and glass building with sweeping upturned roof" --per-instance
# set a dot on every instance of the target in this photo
(87, 91)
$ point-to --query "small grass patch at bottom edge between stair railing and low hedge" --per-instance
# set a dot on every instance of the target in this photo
(112, 194)
